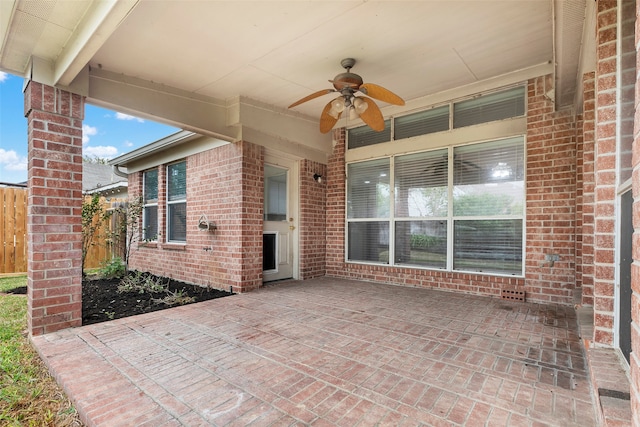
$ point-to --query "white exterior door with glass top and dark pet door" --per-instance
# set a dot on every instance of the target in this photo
(279, 254)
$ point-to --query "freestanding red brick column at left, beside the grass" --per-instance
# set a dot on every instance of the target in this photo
(55, 202)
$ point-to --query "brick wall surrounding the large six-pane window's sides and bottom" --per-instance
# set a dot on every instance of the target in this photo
(551, 215)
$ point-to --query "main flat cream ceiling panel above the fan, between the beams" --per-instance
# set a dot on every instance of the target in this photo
(278, 52)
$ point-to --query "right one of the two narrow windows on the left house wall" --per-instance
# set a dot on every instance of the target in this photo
(177, 202)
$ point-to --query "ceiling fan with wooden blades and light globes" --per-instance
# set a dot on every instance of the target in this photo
(347, 84)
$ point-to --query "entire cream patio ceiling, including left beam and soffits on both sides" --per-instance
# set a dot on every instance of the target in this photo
(279, 51)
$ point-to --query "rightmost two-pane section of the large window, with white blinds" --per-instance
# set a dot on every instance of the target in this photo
(488, 206)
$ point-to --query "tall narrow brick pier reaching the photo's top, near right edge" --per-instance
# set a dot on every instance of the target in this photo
(605, 172)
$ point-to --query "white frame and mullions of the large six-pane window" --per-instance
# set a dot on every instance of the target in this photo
(450, 219)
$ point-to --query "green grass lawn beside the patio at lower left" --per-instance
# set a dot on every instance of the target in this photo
(28, 394)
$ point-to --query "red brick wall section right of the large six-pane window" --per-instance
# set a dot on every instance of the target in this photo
(551, 197)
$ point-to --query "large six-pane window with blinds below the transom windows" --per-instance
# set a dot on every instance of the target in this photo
(457, 208)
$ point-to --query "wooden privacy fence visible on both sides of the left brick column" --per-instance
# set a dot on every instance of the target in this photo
(13, 233)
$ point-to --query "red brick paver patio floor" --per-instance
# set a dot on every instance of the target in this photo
(328, 352)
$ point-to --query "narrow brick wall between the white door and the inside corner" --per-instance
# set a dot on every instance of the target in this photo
(312, 223)
